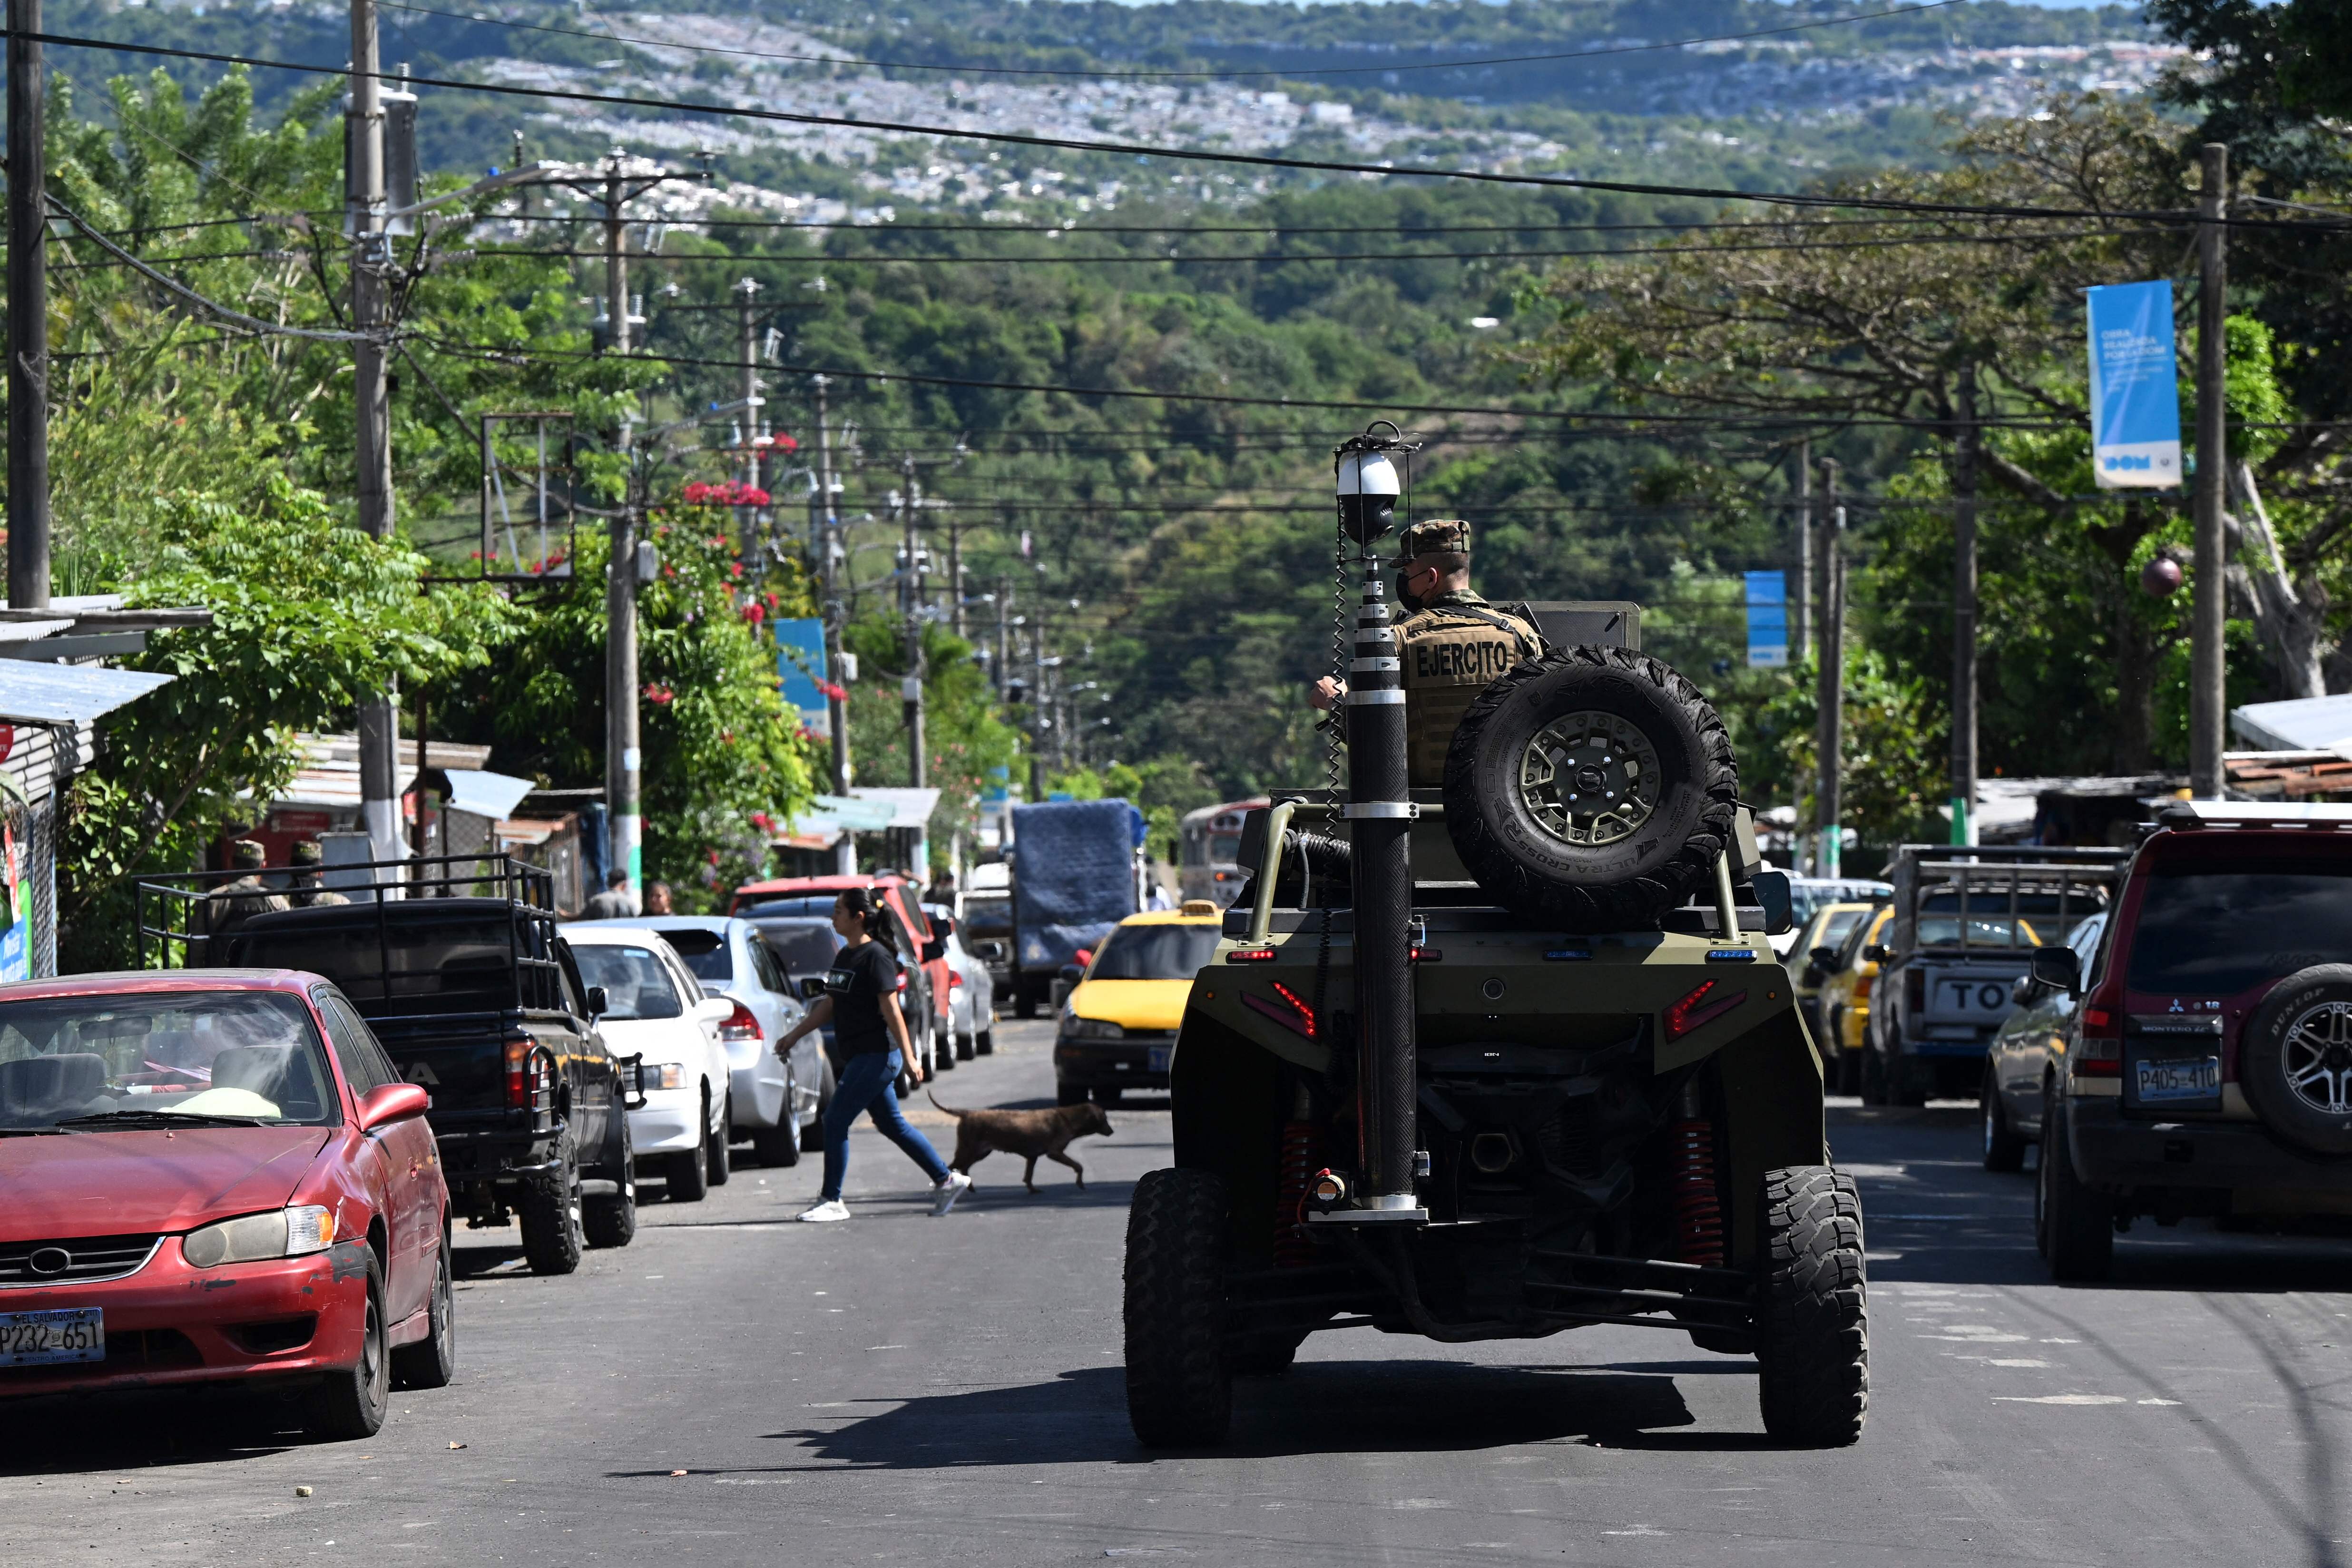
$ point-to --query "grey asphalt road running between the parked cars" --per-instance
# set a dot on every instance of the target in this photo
(744, 1391)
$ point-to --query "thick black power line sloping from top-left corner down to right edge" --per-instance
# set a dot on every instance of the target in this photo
(1132, 149)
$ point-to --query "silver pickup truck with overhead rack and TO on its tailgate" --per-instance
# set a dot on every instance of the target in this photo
(1963, 932)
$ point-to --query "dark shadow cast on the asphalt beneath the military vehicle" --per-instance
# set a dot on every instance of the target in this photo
(1321, 1407)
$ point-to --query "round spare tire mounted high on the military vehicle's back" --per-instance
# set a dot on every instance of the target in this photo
(1591, 791)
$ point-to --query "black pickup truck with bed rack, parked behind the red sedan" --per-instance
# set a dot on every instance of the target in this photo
(474, 993)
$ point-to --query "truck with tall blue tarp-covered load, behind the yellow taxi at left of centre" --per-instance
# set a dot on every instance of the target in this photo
(1076, 871)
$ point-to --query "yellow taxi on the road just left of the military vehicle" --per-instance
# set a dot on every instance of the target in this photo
(1118, 1026)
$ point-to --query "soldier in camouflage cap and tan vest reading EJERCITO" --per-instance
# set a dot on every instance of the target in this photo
(1450, 643)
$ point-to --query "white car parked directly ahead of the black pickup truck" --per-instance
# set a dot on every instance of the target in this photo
(657, 1012)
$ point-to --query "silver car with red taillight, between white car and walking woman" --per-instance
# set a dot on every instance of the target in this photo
(775, 1101)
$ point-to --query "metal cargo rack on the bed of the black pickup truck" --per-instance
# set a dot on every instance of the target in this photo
(185, 920)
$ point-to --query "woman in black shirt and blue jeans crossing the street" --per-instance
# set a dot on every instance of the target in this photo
(869, 1047)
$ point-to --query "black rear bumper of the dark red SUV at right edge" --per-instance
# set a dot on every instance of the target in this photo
(2132, 1158)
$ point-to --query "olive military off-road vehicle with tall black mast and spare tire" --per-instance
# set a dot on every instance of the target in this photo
(1502, 1059)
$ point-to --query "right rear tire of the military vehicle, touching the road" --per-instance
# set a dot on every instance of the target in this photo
(1812, 1313)
